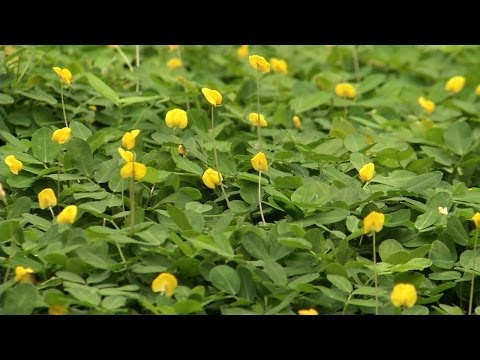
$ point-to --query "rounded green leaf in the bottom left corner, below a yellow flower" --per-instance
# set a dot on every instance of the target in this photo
(20, 300)
